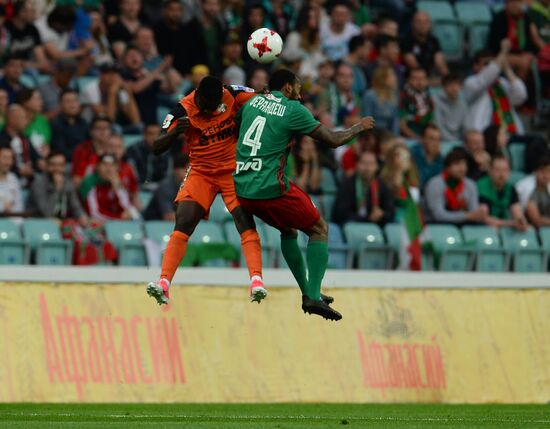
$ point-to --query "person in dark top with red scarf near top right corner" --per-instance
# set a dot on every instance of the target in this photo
(514, 25)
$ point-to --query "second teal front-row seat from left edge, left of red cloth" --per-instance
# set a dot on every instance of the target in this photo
(45, 240)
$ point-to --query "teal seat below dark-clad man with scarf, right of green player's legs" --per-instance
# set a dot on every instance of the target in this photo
(367, 242)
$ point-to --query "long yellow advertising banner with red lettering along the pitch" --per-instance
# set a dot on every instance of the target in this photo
(112, 343)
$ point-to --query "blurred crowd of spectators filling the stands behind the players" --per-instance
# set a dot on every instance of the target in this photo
(85, 86)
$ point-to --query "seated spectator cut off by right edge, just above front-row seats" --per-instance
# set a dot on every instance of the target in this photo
(538, 206)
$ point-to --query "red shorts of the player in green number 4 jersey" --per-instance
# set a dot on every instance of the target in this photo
(292, 210)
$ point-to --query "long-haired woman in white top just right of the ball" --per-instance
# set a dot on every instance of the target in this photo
(304, 43)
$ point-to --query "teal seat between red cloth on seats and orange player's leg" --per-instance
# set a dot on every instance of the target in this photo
(127, 237)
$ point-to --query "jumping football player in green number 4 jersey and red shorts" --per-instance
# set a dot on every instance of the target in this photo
(268, 123)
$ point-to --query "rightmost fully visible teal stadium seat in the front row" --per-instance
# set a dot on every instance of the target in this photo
(524, 246)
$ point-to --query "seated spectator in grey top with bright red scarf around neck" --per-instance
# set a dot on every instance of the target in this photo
(451, 197)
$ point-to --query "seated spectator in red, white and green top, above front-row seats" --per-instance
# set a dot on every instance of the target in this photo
(103, 194)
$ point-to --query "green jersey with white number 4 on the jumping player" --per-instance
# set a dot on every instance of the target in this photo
(267, 125)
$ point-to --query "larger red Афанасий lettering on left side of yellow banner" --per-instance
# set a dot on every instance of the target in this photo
(82, 350)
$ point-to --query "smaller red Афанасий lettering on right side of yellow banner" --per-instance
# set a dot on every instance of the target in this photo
(401, 365)
